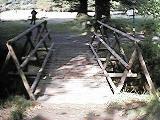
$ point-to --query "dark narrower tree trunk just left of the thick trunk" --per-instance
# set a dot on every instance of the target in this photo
(83, 6)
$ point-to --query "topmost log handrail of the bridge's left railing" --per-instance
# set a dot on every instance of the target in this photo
(25, 32)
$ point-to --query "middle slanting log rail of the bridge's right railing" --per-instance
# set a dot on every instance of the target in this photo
(126, 65)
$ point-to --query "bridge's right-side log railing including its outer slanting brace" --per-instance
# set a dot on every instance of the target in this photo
(126, 66)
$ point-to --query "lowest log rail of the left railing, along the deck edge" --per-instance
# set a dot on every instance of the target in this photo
(36, 81)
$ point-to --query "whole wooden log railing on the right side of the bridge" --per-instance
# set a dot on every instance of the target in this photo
(101, 39)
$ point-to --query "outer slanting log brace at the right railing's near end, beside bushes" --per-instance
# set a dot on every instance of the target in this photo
(145, 71)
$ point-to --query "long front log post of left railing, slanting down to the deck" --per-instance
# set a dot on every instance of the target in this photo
(24, 80)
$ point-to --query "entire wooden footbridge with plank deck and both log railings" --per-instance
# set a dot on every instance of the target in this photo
(69, 70)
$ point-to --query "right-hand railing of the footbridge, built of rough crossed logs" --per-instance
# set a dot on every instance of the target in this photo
(128, 65)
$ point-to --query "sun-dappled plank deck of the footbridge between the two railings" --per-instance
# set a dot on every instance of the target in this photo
(72, 74)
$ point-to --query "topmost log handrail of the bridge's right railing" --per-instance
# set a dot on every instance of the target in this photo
(120, 32)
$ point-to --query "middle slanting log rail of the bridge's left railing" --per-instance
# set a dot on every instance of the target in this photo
(33, 52)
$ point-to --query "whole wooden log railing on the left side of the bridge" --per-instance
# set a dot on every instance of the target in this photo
(32, 40)
